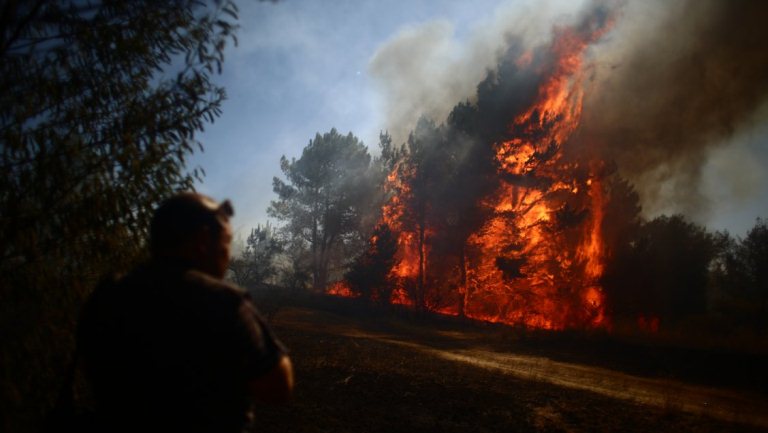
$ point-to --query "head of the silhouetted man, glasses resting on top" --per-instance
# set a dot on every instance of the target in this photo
(195, 228)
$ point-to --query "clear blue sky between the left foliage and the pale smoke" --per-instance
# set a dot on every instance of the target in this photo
(301, 67)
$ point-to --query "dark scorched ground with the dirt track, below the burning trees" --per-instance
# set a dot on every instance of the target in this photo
(360, 369)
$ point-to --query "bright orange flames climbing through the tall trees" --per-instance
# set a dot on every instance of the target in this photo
(538, 258)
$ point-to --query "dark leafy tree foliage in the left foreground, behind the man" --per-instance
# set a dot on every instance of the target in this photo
(100, 102)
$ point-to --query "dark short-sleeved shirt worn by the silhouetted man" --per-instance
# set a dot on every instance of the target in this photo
(168, 348)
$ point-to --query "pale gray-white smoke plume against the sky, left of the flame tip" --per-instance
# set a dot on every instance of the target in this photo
(426, 70)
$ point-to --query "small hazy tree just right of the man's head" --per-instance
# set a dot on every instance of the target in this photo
(257, 263)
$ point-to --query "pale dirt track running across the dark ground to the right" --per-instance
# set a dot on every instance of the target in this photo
(723, 404)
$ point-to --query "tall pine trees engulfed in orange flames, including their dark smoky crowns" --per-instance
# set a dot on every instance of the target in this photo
(496, 218)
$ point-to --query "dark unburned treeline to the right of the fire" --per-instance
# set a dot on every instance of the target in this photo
(672, 273)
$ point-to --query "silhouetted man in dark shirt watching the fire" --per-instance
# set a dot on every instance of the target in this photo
(173, 348)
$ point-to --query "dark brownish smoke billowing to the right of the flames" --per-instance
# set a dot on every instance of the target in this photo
(674, 81)
